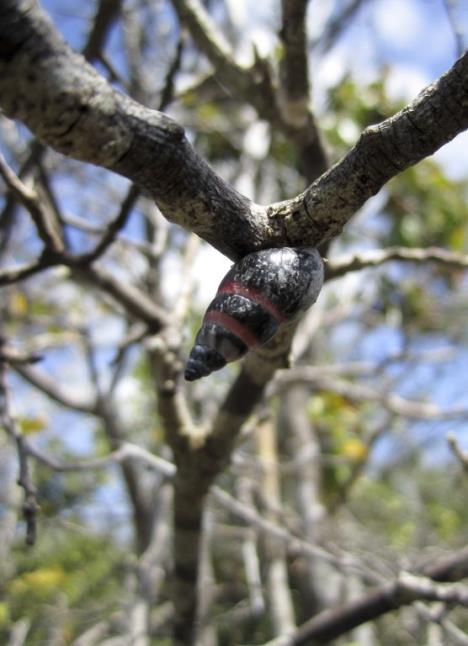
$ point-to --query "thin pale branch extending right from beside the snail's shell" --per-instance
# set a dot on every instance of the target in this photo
(336, 267)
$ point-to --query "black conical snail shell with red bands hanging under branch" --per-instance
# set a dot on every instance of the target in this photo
(261, 292)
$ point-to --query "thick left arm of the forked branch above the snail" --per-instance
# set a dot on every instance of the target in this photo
(72, 108)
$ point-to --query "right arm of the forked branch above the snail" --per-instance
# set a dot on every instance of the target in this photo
(381, 152)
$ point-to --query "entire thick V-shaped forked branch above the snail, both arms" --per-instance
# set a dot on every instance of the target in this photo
(66, 103)
